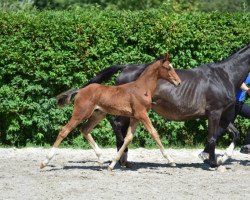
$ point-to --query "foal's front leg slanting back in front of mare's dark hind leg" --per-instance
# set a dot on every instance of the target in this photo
(127, 140)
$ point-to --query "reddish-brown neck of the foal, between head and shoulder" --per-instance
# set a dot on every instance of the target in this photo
(148, 79)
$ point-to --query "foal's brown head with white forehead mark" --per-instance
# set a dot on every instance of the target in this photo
(166, 71)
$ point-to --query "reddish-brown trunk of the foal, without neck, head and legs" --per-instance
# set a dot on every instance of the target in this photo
(115, 100)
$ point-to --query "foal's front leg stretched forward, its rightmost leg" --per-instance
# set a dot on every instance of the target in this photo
(147, 123)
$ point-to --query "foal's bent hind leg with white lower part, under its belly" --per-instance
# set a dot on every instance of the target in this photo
(86, 129)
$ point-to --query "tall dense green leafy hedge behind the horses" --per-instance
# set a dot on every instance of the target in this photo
(45, 53)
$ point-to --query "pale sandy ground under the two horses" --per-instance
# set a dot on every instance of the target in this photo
(74, 174)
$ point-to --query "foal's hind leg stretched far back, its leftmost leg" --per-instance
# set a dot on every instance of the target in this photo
(79, 114)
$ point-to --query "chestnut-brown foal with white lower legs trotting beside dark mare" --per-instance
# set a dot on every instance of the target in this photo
(132, 100)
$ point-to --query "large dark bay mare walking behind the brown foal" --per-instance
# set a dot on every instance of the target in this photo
(206, 91)
